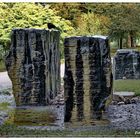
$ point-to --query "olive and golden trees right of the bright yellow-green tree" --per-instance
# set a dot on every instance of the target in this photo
(119, 21)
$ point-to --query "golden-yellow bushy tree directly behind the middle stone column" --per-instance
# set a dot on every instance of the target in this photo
(91, 24)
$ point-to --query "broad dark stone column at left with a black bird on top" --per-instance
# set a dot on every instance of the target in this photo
(33, 65)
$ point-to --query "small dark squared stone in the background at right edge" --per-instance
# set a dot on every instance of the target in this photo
(127, 64)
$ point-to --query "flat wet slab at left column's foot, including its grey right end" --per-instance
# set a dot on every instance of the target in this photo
(38, 116)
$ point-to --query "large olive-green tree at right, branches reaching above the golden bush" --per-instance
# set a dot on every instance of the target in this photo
(124, 20)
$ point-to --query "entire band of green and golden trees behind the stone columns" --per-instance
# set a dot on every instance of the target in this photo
(121, 22)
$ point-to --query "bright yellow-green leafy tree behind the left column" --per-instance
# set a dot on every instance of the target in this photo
(31, 16)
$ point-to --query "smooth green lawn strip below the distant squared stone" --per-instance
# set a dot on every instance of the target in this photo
(127, 85)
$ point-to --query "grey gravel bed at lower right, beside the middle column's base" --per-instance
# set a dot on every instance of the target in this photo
(125, 117)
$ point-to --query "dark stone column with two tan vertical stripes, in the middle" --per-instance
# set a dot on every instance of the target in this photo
(88, 77)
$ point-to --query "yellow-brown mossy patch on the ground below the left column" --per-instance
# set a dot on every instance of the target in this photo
(33, 117)
